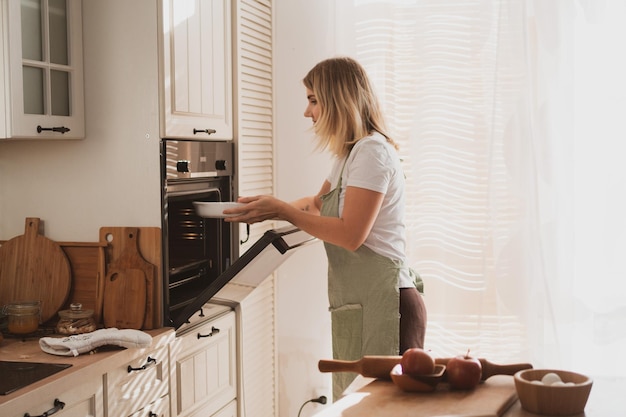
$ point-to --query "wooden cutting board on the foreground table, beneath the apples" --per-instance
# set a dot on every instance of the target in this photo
(382, 398)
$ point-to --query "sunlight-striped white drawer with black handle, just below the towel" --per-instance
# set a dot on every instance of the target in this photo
(141, 381)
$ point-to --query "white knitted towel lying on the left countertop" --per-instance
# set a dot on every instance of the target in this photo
(81, 343)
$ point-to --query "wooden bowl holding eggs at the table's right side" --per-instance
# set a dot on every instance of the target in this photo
(553, 400)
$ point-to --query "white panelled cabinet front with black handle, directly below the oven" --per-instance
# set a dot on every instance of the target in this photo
(204, 377)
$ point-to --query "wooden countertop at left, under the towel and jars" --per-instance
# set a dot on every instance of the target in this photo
(84, 367)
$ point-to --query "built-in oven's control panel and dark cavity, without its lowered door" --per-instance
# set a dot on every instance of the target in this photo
(196, 250)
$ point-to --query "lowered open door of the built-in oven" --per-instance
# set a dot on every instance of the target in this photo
(253, 267)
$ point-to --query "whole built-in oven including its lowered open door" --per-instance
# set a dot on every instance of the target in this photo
(201, 261)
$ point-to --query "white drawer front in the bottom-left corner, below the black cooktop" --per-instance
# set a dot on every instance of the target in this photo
(84, 400)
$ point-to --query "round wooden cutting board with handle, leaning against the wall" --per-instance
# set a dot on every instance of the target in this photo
(33, 267)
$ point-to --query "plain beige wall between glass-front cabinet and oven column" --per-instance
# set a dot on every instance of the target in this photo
(111, 178)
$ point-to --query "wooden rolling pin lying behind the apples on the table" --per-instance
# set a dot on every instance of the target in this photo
(380, 366)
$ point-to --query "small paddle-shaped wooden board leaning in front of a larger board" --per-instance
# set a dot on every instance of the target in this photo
(129, 279)
